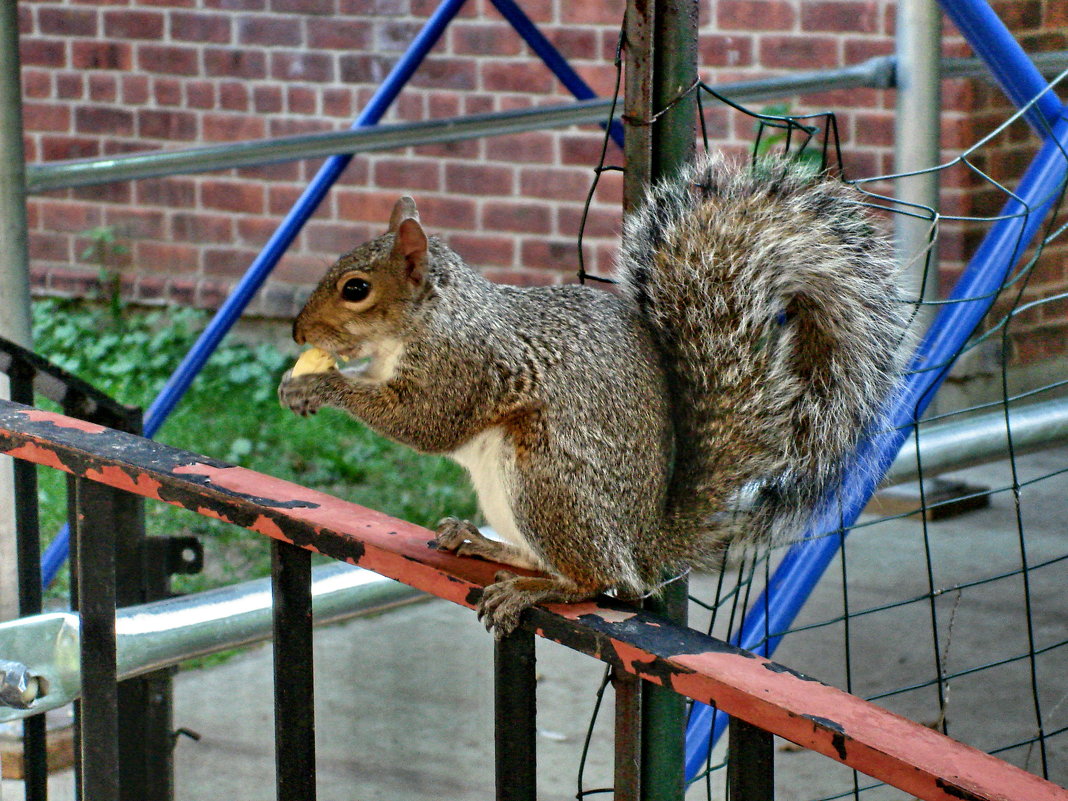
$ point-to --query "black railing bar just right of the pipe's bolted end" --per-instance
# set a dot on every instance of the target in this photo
(99, 712)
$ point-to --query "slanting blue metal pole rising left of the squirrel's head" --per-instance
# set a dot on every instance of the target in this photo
(289, 230)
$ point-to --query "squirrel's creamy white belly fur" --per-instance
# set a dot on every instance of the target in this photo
(491, 461)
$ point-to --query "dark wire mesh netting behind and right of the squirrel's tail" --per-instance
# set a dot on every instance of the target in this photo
(946, 603)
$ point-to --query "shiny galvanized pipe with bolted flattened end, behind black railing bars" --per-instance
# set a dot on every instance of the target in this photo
(163, 634)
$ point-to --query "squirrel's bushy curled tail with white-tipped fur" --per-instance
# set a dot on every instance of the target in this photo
(776, 307)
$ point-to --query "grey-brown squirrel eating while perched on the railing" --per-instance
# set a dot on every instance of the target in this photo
(612, 439)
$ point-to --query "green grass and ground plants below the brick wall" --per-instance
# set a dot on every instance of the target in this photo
(231, 414)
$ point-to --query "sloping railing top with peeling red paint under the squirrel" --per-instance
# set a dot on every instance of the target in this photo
(871, 740)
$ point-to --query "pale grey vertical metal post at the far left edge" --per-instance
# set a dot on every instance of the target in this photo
(14, 276)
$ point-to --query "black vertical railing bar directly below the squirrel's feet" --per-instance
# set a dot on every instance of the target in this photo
(515, 711)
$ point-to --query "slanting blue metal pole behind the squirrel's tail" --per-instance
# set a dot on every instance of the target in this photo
(806, 562)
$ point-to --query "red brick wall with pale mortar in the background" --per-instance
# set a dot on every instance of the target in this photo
(114, 77)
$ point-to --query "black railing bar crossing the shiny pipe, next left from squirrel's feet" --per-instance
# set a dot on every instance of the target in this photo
(294, 678)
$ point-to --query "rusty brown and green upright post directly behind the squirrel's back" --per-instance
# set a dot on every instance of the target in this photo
(661, 117)
